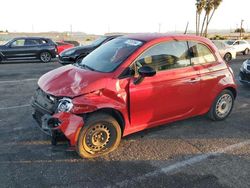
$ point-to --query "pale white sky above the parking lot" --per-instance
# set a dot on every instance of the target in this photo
(103, 16)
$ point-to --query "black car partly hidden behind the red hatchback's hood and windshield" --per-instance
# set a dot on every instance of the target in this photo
(78, 53)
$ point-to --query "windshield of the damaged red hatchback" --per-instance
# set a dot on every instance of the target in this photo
(109, 56)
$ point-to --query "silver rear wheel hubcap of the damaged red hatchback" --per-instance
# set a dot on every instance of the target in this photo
(224, 105)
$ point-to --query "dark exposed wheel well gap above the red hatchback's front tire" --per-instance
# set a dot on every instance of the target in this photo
(114, 113)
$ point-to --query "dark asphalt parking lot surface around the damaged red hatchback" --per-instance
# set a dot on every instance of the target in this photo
(191, 153)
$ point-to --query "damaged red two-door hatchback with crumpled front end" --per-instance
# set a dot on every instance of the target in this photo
(130, 84)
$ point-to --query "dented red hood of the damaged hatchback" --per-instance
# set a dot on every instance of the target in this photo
(71, 81)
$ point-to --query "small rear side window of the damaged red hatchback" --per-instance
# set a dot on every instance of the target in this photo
(200, 53)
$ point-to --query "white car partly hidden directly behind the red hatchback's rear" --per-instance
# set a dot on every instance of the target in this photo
(226, 51)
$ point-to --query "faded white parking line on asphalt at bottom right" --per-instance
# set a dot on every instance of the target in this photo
(181, 164)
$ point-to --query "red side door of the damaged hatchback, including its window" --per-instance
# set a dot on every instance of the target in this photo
(172, 93)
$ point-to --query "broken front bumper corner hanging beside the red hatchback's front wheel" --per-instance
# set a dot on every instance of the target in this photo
(66, 123)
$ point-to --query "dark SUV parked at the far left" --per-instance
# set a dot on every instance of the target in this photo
(28, 48)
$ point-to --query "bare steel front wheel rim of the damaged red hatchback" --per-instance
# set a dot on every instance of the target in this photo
(97, 138)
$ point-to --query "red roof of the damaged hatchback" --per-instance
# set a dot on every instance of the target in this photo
(152, 36)
